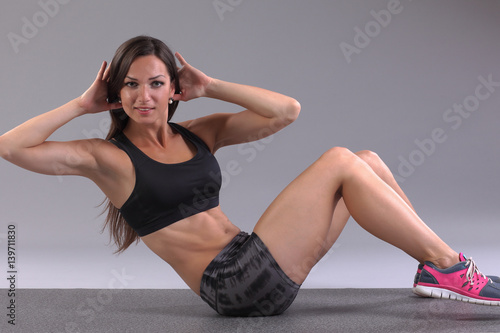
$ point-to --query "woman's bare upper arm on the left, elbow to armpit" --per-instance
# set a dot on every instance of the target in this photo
(58, 158)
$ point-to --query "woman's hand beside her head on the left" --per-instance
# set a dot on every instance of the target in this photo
(94, 100)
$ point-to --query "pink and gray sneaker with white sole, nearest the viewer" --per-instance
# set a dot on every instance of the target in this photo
(462, 282)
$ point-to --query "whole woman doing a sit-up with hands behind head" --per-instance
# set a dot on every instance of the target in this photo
(163, 182)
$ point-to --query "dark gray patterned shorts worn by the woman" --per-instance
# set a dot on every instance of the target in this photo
(244, 280)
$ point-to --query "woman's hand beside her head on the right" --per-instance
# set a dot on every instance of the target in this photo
(193, 82)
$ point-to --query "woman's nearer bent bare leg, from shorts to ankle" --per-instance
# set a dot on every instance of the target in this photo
(296, 224)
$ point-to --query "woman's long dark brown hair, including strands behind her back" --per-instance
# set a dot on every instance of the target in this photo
(120, 232)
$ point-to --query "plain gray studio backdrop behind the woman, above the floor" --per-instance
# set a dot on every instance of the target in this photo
(395, 90)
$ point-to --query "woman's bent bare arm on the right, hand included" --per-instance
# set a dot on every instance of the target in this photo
(266, 112)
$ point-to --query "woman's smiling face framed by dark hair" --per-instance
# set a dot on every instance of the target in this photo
(147, 90)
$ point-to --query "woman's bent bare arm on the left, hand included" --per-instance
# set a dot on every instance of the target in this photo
(26, 145)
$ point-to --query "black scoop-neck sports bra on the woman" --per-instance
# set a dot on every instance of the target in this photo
(167, 193)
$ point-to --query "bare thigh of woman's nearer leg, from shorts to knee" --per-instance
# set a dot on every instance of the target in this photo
(296, 224)
